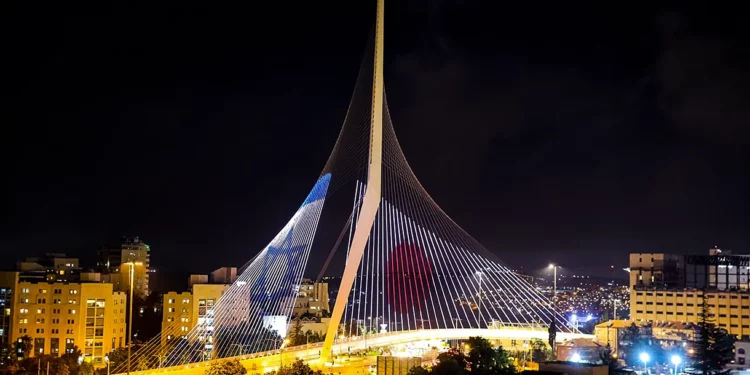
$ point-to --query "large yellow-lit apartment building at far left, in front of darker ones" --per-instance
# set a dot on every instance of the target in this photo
(59, 317)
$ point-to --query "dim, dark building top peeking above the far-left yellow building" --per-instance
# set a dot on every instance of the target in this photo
(49, 267)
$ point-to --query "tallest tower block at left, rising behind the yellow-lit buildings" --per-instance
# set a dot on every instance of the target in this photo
(115, 264)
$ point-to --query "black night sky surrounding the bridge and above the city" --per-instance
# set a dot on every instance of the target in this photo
(573, 134)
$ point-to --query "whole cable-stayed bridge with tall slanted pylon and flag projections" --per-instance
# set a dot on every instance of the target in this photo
(410, 271)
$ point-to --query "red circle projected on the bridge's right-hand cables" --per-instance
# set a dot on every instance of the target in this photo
(409, 274)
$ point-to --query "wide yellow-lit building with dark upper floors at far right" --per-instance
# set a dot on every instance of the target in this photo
(672, 288)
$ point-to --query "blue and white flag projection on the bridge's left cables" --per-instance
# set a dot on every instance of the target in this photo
(254, 312)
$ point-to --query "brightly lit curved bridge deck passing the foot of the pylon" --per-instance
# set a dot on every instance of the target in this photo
(344, 363)
